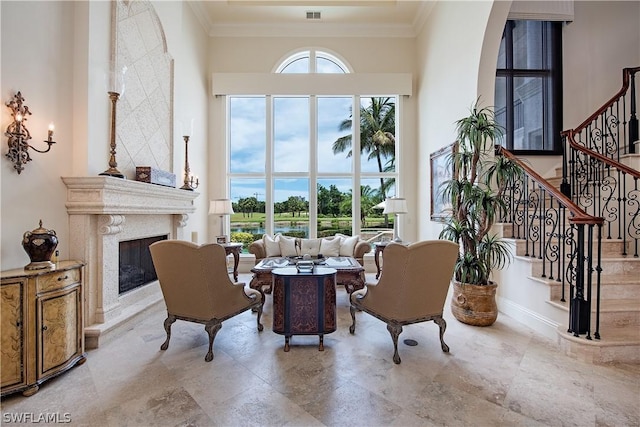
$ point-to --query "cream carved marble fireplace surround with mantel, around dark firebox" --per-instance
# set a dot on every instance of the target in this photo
(103, 211)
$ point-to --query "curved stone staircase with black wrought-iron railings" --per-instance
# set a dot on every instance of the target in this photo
(576, 269)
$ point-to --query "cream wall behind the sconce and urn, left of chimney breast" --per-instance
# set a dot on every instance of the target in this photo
(43, 75)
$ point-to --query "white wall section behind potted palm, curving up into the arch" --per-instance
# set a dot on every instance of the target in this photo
(449, 51)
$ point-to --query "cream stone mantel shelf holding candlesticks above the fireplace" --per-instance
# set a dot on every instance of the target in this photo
(98, 195)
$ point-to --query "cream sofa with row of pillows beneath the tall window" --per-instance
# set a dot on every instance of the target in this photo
(337, 245)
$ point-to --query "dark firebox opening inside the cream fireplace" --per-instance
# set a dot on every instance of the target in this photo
(135, 263)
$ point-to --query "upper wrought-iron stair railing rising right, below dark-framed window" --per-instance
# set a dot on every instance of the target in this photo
(592, 173)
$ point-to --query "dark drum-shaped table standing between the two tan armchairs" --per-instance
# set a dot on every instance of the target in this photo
(304, 303)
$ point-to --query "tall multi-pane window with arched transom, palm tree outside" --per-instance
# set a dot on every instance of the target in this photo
(310, 165)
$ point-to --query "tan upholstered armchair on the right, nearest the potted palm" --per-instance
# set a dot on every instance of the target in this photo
(412, 288)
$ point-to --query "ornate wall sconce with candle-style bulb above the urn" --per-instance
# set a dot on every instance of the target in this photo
(19, 134)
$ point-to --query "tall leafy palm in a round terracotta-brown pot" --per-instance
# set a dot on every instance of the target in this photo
(475, 196)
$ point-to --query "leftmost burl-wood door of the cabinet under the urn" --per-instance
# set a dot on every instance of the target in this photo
(12, 310)
